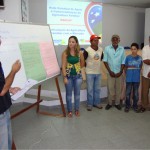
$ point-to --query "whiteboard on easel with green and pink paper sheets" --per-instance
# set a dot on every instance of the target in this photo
(33, 46)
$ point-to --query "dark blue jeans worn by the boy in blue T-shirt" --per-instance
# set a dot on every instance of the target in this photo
(129, 86)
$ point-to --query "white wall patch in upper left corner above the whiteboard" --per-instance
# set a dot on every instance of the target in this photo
(12, 11)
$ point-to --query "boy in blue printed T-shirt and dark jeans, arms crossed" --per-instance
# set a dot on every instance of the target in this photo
(133, 65)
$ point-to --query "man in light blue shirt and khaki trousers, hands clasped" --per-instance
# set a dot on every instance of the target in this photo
(114, 59)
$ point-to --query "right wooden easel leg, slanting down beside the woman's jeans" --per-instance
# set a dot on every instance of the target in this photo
(60, 97)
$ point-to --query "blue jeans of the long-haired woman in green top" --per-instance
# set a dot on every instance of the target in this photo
(74, 82)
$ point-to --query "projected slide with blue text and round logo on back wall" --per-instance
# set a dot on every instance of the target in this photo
(77, 18)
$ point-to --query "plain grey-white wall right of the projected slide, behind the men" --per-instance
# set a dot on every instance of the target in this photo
(128, 22)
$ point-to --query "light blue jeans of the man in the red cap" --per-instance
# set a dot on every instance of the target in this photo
(93, 89)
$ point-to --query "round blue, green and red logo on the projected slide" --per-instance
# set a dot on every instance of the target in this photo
(93, 18)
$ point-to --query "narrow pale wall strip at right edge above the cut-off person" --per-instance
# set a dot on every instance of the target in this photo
(147, 26)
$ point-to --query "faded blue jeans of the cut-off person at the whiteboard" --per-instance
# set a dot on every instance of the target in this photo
(5, 131)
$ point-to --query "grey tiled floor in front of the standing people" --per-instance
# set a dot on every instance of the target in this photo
(98, 129)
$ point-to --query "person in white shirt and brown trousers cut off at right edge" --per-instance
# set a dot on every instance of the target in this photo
(145, 77)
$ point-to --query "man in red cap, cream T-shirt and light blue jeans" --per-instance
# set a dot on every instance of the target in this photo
(93, 56)
